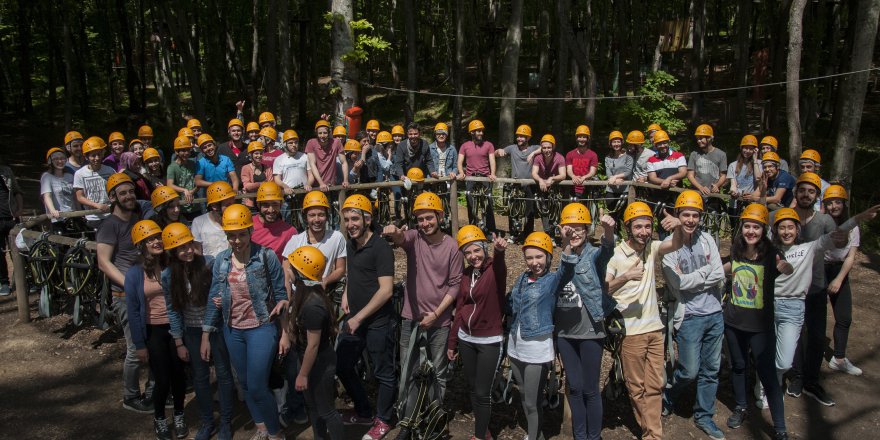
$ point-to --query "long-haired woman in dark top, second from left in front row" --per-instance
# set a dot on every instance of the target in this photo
(186, 282)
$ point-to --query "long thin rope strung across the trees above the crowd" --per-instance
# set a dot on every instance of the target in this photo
(606, 98)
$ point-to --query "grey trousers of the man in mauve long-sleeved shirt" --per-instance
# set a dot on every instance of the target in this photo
(436, 352)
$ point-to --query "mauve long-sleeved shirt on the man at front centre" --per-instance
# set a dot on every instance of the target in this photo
(433, 271)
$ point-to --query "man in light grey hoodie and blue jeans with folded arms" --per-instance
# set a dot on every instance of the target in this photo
(693, 273)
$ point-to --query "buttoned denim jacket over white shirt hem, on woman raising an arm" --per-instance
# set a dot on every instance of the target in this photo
(532, 304)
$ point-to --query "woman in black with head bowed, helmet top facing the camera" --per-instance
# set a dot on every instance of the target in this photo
(311, 330)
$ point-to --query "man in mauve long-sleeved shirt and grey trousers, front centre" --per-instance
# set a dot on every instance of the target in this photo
(434, 268)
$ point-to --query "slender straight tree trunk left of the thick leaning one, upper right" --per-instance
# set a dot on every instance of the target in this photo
(792, 78)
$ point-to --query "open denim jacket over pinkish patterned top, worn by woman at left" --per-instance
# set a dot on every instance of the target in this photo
(264, 277)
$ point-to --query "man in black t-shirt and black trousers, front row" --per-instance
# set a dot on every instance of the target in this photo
(369, 323)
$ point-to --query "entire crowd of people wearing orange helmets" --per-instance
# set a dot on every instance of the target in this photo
(234, 285)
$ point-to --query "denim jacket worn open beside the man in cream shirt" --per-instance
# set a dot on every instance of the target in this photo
(589, 284)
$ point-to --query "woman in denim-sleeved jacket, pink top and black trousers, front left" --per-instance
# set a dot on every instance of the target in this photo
(150, 329)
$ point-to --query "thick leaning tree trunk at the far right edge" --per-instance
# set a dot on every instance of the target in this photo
(851, 99)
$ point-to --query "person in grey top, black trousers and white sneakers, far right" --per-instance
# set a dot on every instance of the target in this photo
(811, 347)
